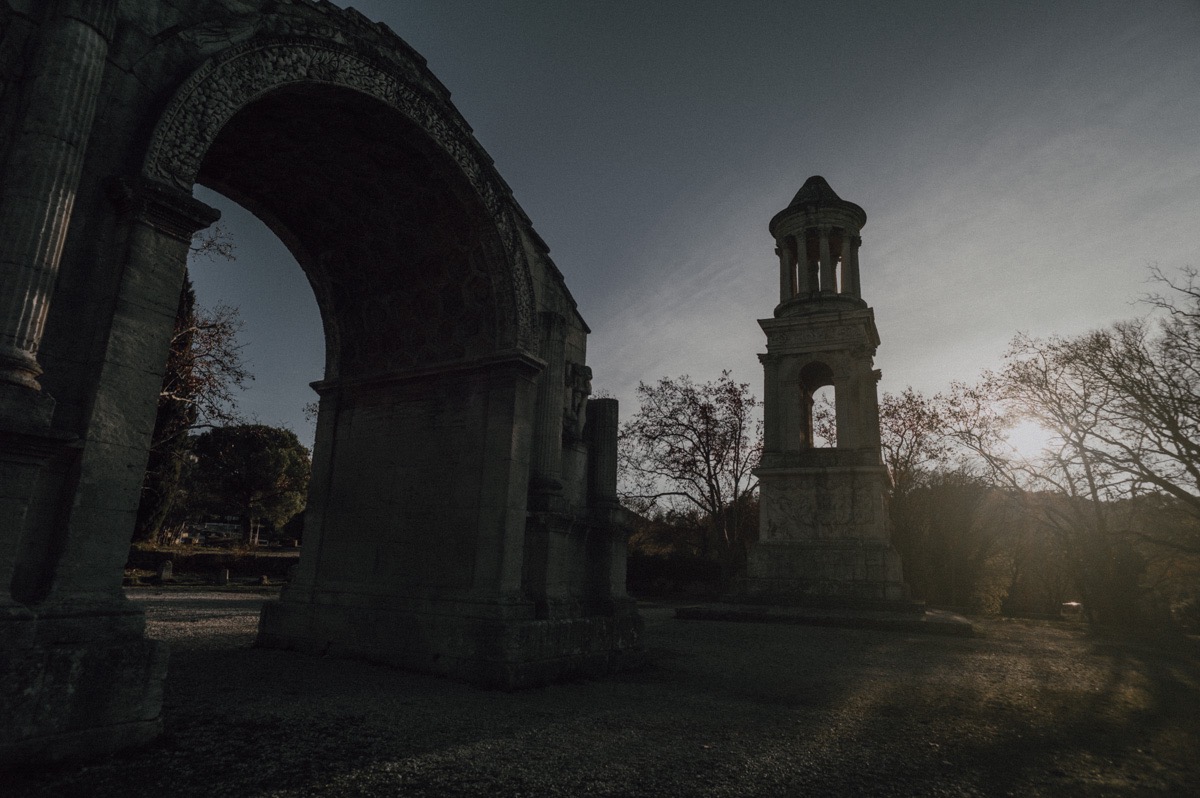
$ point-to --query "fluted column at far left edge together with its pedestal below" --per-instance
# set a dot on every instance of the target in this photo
(43, 169)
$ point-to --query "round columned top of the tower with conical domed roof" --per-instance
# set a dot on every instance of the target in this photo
(818, 241)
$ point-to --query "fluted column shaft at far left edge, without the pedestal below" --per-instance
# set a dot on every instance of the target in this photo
(43, 175)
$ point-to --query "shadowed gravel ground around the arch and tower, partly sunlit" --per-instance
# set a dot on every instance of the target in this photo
(724, 710)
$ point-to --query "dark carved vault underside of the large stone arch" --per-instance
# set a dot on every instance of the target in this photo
(393, 243)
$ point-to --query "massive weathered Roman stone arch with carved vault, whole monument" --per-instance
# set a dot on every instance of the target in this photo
(463, 515)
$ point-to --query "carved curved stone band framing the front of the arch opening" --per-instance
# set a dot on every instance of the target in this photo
(229, 82)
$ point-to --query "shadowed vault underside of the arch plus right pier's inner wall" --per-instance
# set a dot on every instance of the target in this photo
(401, 262)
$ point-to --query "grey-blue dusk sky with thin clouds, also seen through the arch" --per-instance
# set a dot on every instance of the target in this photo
(1021, 165)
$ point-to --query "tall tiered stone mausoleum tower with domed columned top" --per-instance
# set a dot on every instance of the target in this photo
(824, 526)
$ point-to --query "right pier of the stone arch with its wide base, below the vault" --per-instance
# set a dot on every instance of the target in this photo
(412, 563)
